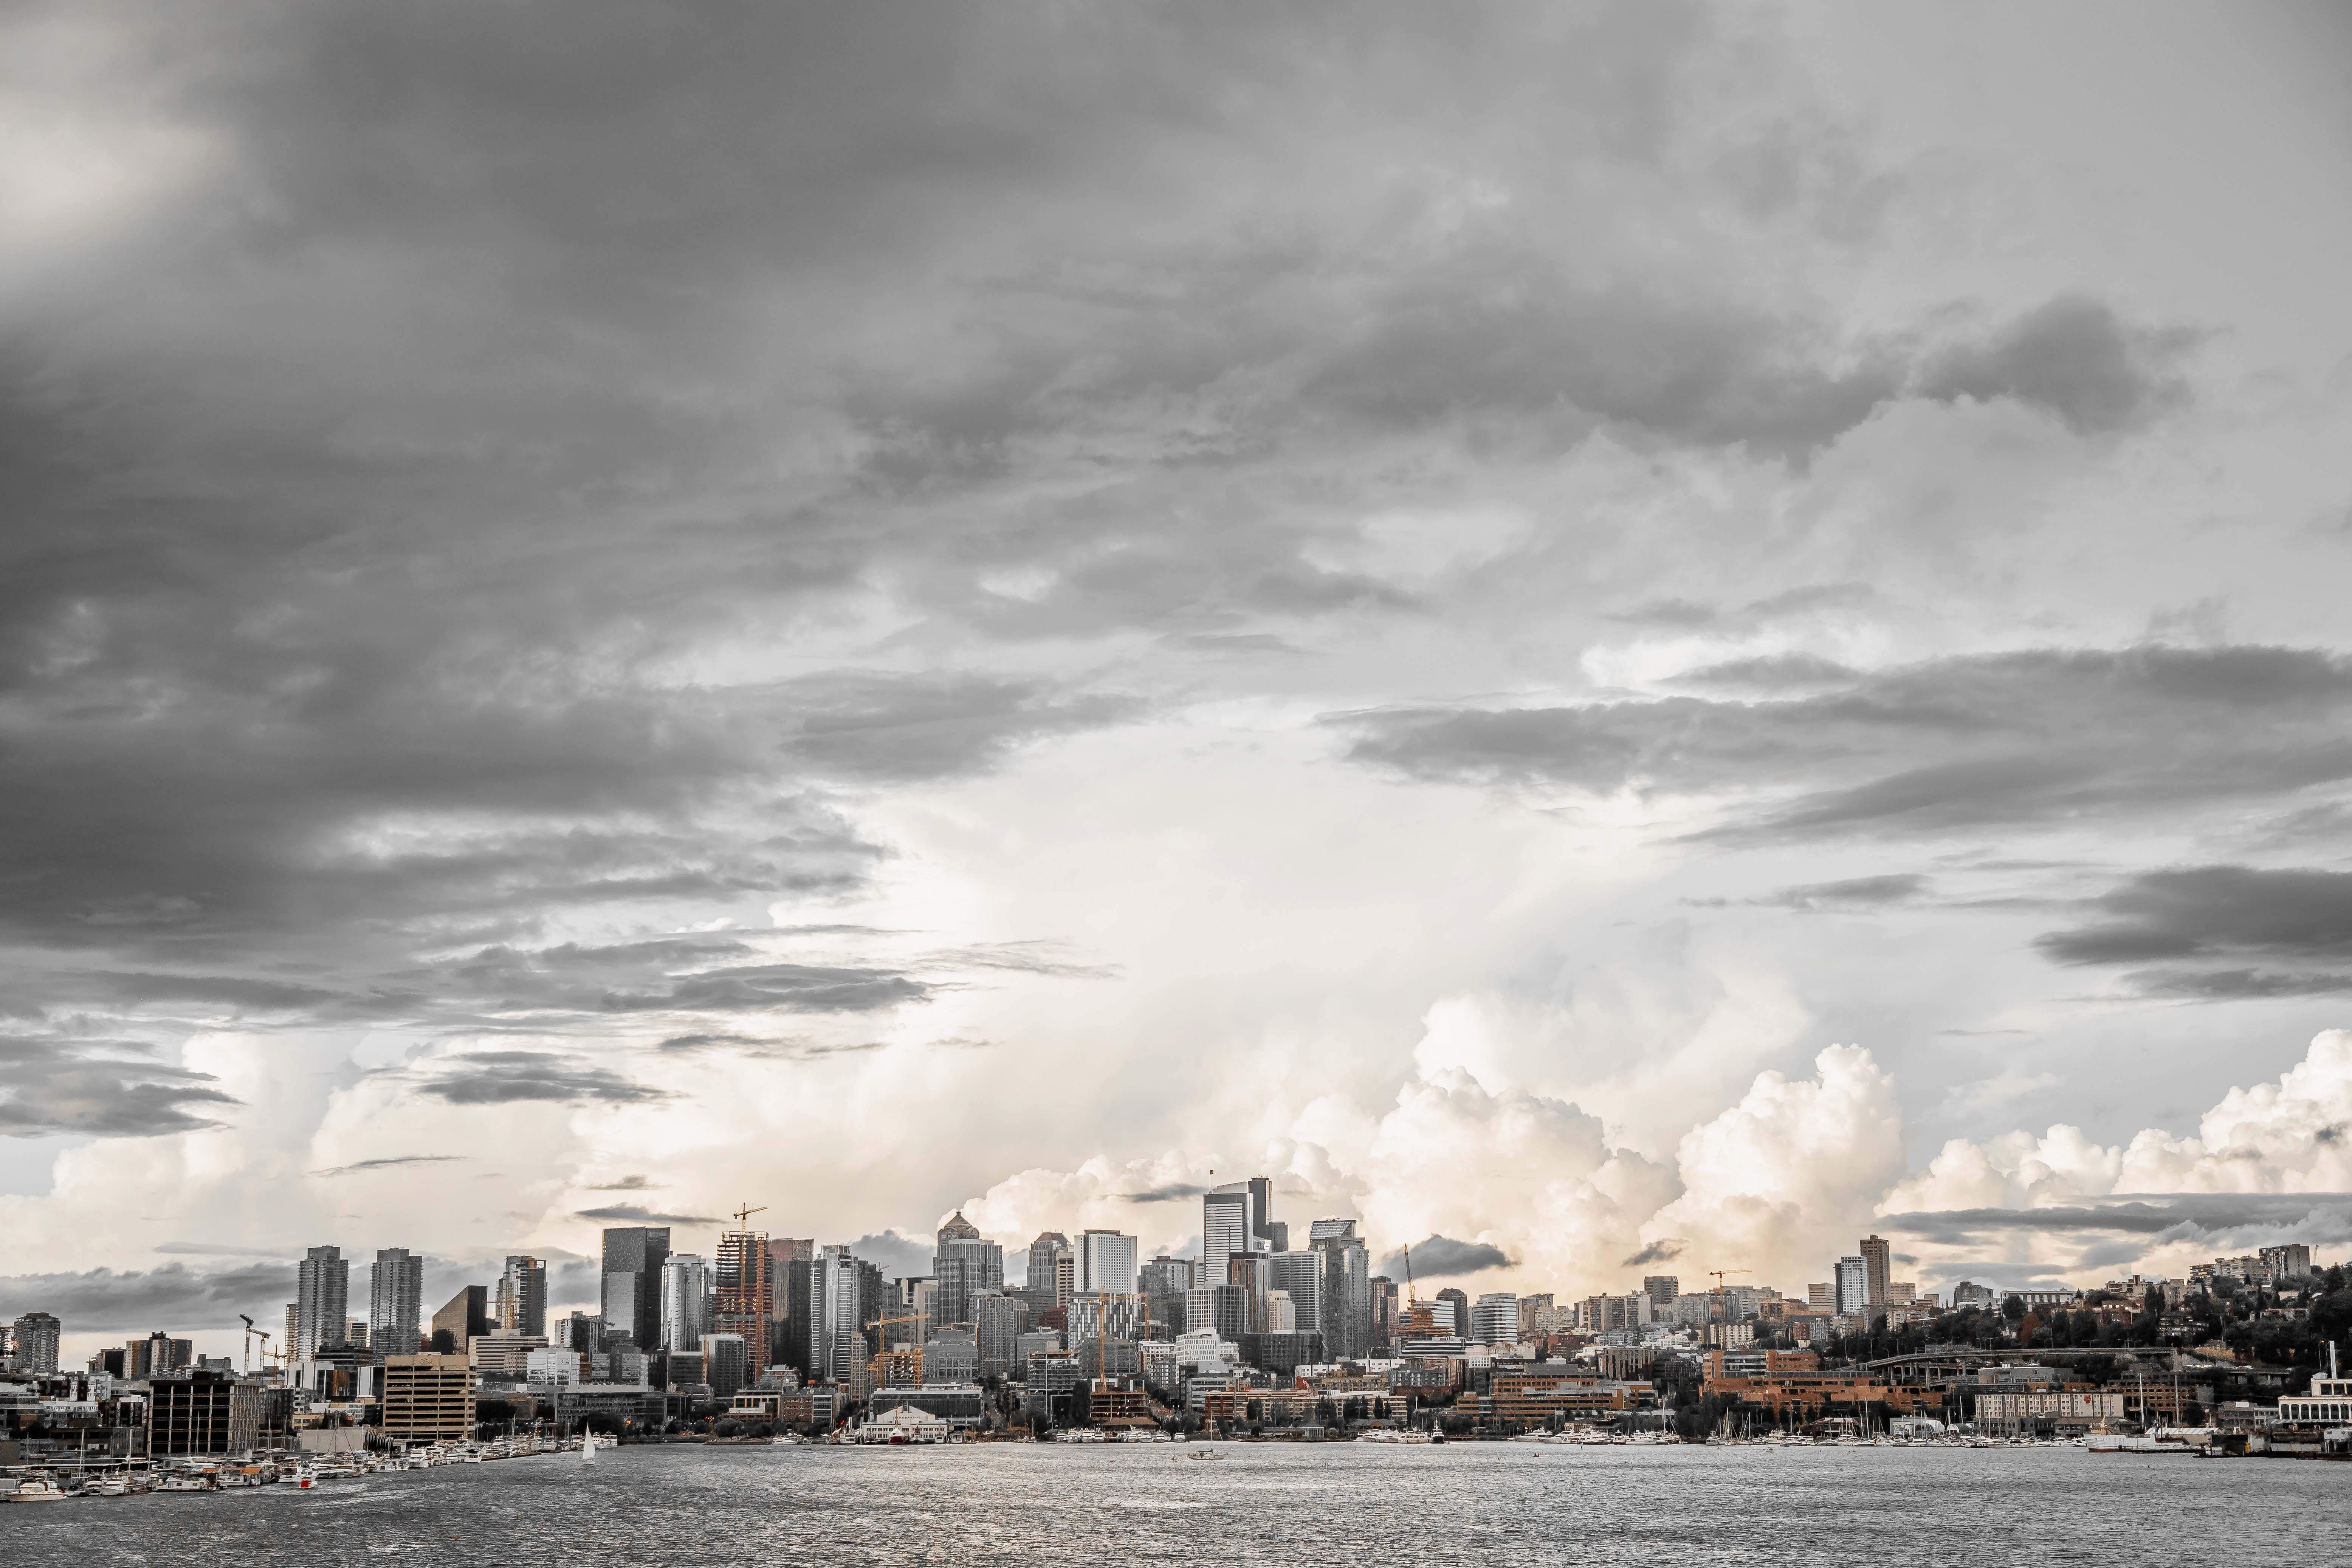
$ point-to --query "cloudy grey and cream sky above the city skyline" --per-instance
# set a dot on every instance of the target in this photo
(1612, 634)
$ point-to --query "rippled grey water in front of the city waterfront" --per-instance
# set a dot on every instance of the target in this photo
(1281, 1506)
